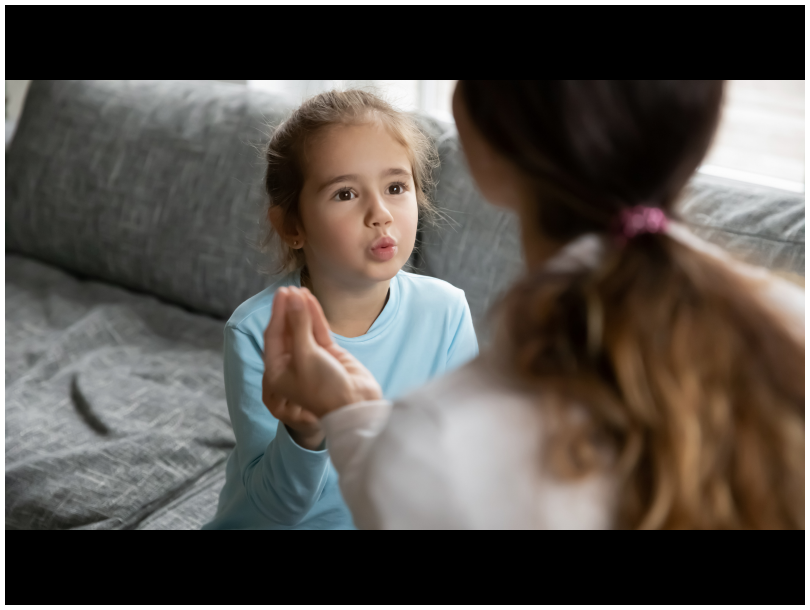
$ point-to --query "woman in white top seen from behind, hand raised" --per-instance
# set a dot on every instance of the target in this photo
(640, 378)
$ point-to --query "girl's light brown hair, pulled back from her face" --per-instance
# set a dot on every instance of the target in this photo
(284, 177)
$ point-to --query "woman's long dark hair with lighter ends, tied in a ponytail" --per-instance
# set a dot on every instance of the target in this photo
(693, 386)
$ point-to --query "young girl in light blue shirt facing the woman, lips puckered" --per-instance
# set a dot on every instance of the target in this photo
(347, 176)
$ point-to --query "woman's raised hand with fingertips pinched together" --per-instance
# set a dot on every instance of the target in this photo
(304, 365)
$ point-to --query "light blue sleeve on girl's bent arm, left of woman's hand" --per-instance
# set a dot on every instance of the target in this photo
(281, 479)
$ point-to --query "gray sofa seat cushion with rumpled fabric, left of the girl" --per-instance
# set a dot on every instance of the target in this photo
(115, 411)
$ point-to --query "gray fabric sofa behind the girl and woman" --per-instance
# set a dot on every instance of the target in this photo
(132, 211)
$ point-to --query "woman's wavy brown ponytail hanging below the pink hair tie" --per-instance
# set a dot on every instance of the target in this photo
(695, 392)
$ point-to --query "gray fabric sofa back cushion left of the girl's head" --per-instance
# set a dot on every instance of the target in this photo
(152, 185)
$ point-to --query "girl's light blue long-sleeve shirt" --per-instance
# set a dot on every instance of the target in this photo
(271, 482)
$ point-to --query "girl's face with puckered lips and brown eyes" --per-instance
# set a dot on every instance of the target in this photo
(358, 204)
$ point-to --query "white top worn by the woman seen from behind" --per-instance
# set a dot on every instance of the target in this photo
(466, 451)
